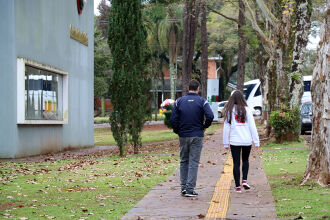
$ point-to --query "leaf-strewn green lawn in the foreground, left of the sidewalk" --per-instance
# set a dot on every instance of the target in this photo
(94, 188)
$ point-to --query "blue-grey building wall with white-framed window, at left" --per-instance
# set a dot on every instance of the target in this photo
(46, 76)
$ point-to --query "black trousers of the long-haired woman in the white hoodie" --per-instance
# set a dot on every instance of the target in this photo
(236, 154)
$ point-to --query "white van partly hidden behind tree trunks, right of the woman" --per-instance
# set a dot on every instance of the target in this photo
(253, 97)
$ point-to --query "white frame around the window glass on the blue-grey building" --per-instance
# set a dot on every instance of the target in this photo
(21, 63)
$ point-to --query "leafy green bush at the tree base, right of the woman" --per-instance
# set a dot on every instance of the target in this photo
(286, 124)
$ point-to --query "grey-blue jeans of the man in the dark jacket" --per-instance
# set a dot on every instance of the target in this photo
(190, 153)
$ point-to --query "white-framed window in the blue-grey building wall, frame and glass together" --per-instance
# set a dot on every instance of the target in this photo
(42, 94)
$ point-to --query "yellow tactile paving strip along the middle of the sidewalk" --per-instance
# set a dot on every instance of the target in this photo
(219, 203)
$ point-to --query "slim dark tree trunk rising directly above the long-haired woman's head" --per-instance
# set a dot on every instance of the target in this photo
(241, 47)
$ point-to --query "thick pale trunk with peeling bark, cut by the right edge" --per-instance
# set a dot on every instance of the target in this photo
(319, 158)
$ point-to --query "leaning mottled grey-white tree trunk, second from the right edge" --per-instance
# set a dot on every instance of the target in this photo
(303, 23)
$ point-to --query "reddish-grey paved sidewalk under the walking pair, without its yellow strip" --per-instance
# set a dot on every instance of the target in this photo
(165, 202)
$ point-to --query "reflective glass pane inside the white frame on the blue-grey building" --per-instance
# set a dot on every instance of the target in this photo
(43, 94)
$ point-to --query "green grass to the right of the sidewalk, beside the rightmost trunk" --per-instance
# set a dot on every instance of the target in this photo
(285, 169)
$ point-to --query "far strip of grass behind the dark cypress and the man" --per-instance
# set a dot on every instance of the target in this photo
(103, 136)
